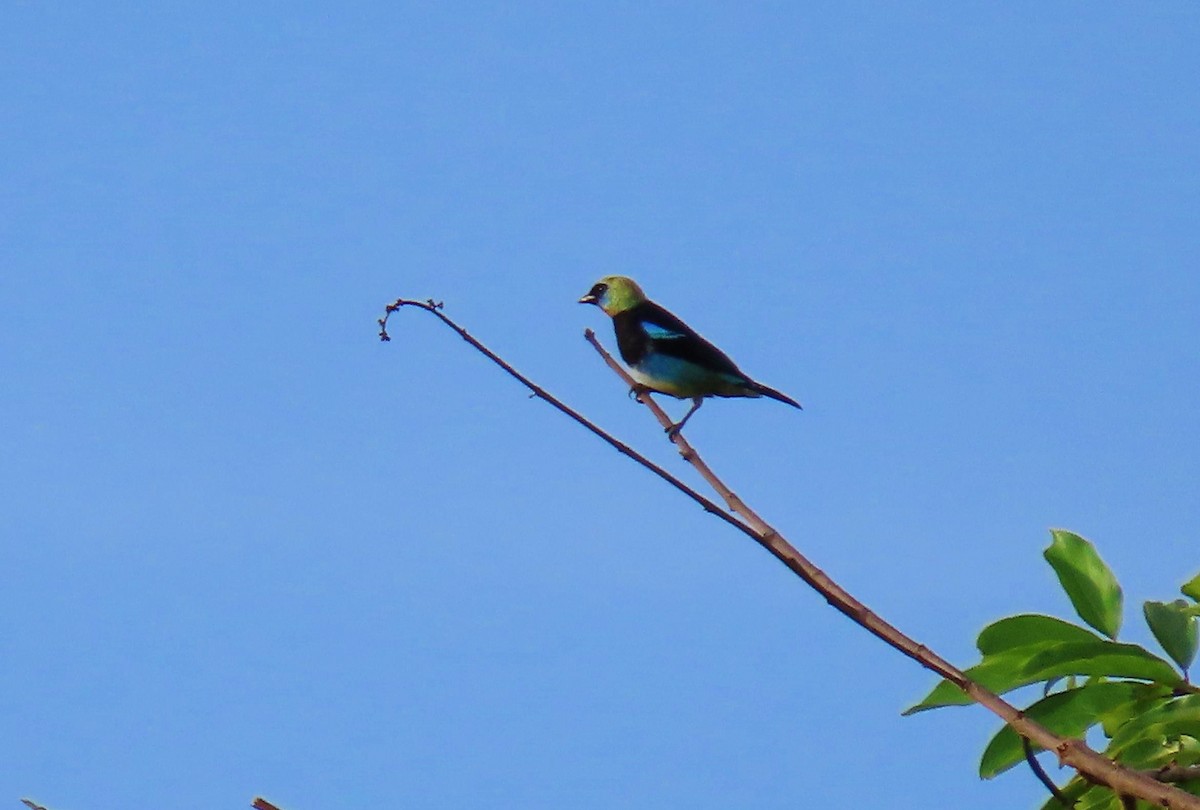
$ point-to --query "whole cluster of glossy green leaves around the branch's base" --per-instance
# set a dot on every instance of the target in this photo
(1147, 709)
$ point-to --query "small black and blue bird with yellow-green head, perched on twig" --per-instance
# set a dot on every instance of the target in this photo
(665, 355)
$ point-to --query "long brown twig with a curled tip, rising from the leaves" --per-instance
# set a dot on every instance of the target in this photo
(1073, 753)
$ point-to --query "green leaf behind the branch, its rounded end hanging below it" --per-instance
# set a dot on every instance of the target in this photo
(1070, 715)
